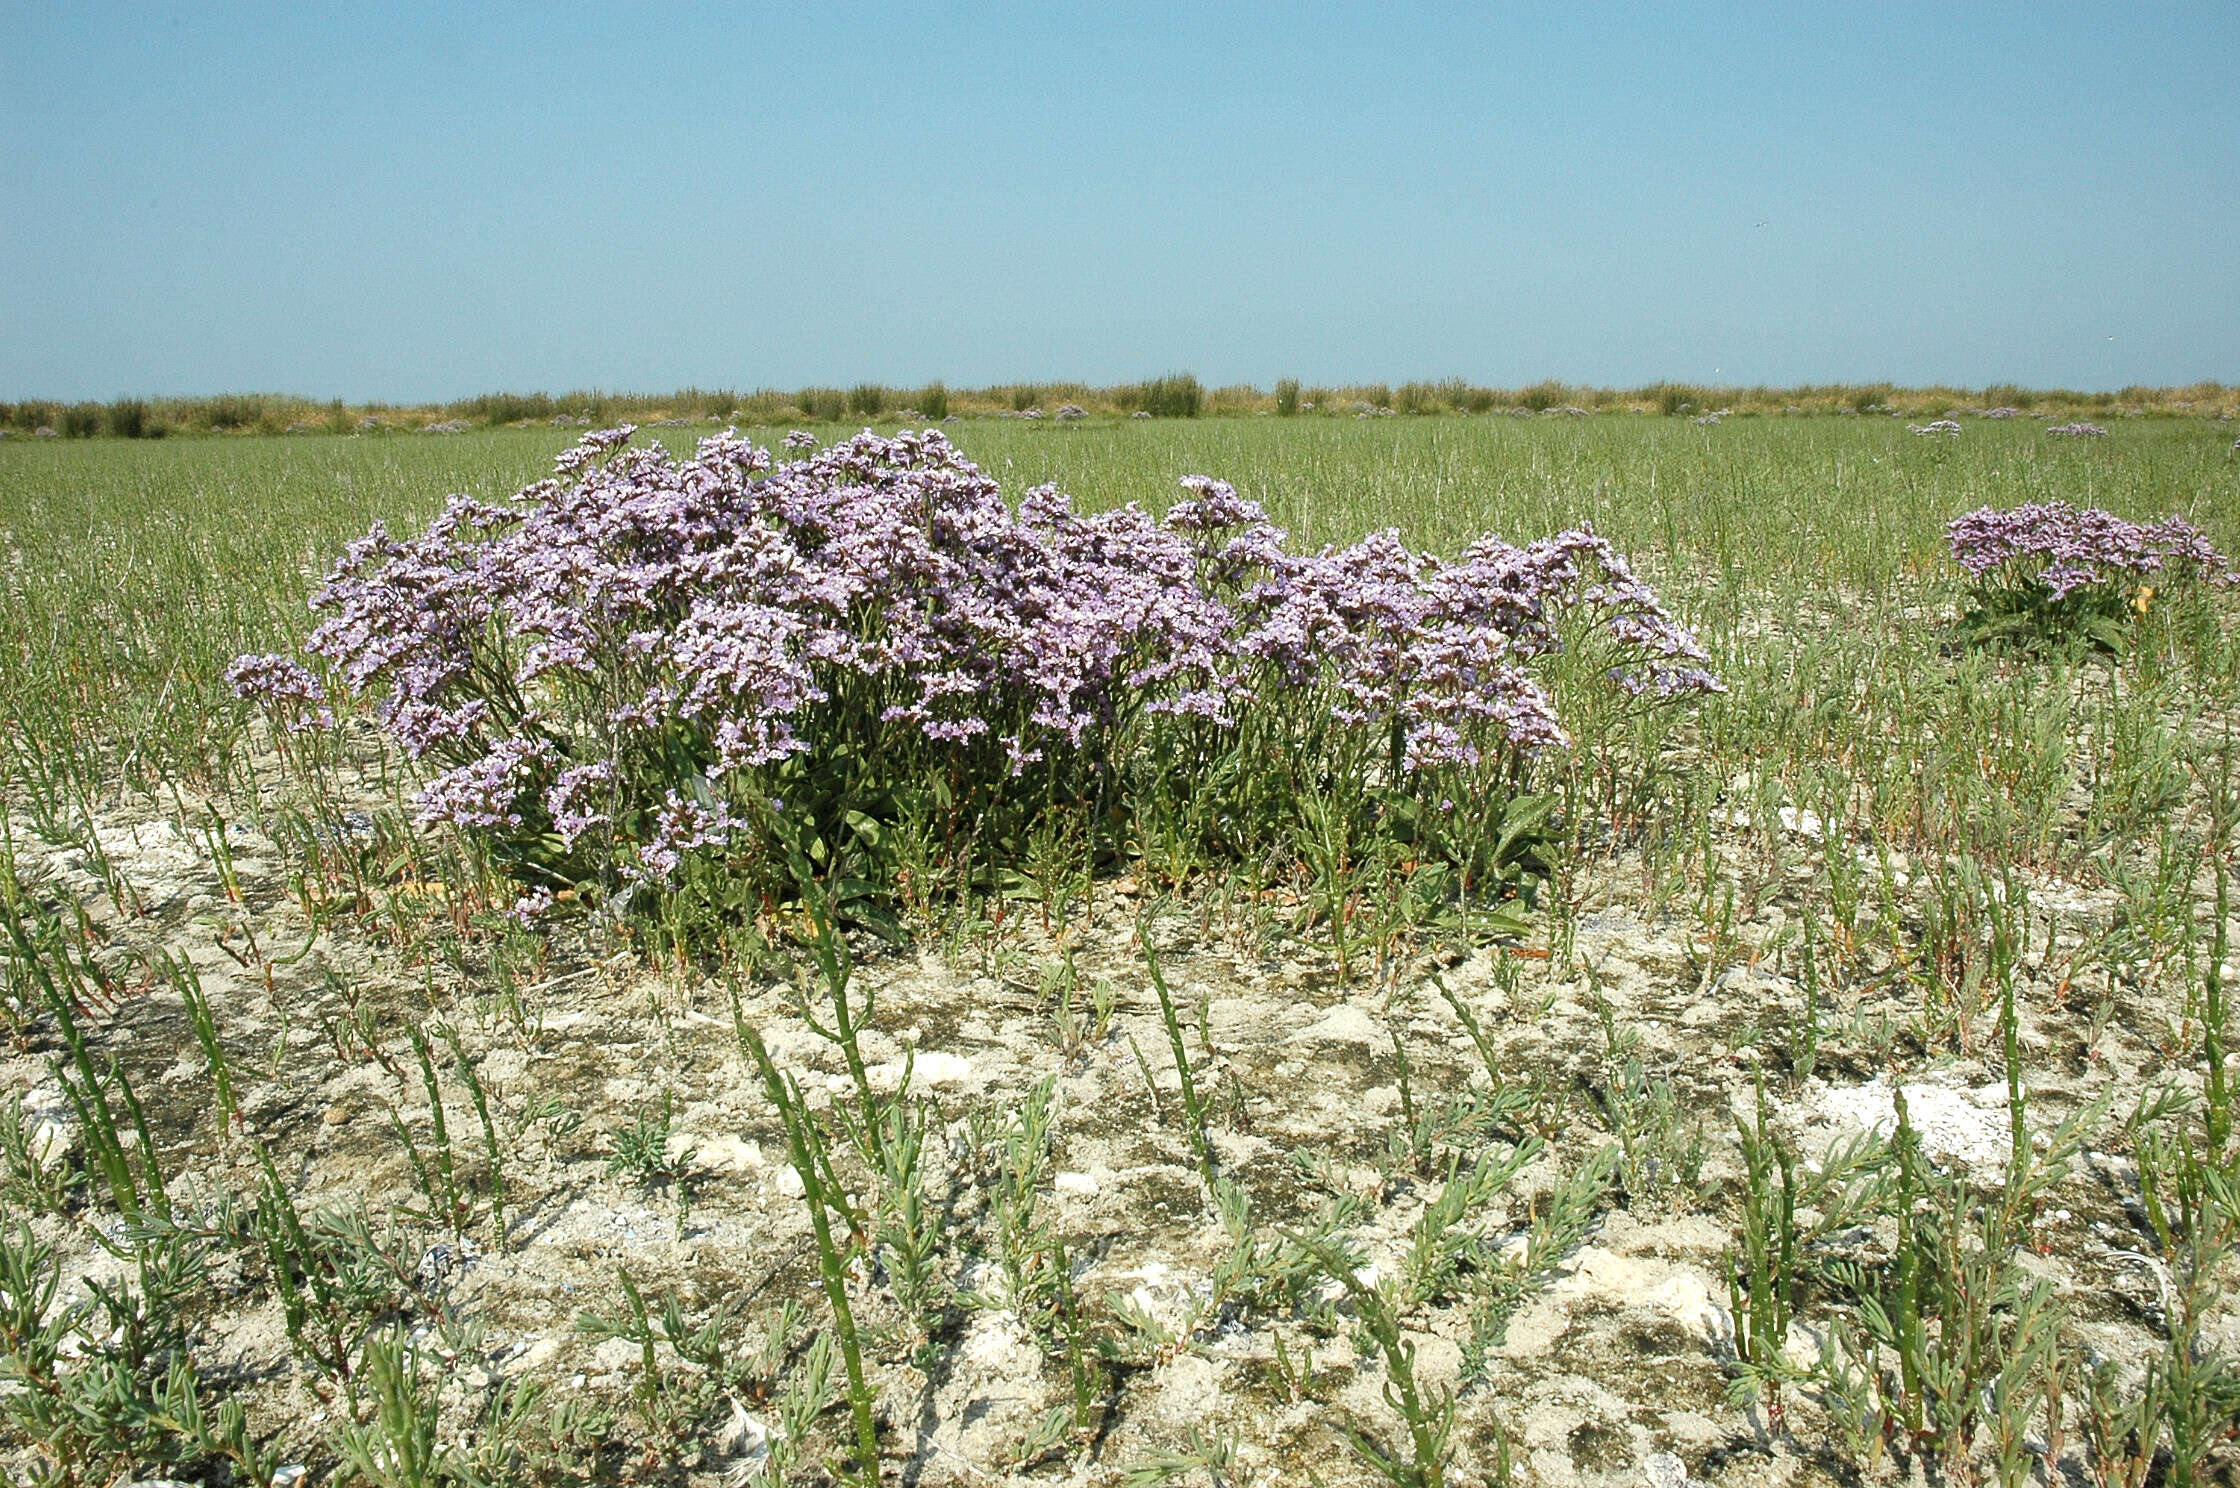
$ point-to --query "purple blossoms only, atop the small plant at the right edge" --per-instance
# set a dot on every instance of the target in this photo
(2064, 548)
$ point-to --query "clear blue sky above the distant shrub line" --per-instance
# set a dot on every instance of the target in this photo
(429, 201)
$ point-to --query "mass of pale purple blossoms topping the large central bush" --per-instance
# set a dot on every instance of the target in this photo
(628, 644)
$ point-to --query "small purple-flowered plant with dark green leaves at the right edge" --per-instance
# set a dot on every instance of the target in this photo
(2051, 573)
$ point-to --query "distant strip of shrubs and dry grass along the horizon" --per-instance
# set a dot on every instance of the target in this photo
(1177, 396)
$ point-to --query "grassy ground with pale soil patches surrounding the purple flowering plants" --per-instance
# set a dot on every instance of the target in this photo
(317, 1169)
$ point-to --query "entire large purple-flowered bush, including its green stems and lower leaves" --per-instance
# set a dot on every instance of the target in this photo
(651, 678)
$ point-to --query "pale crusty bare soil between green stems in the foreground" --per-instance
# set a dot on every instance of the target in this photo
(1612, 1370)
